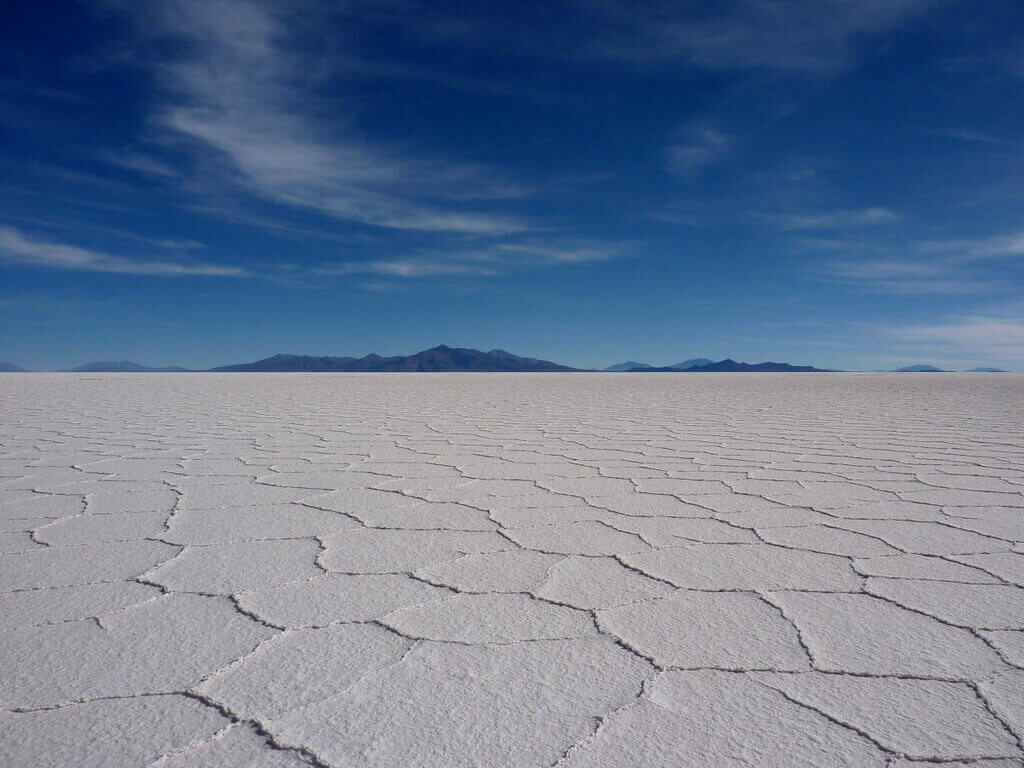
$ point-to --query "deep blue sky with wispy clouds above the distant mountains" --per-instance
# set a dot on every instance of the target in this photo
(201, 183)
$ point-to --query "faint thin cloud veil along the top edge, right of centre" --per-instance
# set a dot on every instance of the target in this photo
(806, 37)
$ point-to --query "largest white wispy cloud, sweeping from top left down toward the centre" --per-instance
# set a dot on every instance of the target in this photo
(241, 101)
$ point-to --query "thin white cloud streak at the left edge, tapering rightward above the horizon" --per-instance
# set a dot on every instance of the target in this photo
(19, 248)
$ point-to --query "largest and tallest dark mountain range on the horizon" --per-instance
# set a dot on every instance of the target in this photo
(440, 359)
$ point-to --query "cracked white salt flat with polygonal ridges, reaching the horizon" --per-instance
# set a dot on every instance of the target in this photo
(511, 570)
